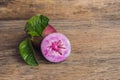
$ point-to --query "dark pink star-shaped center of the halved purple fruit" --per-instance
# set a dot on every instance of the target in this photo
(57, 46)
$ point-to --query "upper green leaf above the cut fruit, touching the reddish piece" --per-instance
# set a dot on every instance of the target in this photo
(36, 25)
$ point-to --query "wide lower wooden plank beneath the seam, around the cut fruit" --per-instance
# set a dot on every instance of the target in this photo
(95, 52)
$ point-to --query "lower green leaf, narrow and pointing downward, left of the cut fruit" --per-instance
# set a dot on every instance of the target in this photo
(27, 52)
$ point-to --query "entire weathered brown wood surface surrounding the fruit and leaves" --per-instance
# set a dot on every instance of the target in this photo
(93, 27)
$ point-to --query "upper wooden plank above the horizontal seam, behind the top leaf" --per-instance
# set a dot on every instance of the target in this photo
(61, 9)
